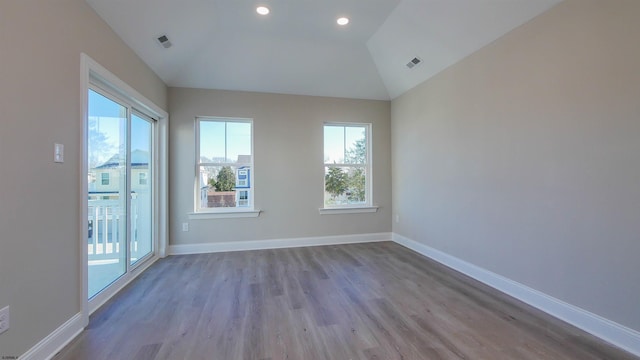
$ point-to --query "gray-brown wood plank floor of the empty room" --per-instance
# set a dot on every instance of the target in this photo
(361, 301)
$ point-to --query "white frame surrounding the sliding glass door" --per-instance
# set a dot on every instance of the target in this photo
(93, 75)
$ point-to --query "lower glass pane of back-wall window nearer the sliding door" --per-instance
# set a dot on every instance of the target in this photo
(224, 186)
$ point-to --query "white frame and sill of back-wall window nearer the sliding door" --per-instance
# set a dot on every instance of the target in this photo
(222, 212)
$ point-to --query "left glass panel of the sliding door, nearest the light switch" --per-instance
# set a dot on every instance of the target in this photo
(107, 197)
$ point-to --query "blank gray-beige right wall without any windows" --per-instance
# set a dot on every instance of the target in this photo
(523, 158)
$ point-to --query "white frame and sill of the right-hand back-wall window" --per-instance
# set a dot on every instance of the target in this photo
(368, 206)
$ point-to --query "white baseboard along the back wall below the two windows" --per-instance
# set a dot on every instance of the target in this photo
(276, 243)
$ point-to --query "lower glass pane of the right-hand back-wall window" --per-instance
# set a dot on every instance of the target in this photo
(345, 185)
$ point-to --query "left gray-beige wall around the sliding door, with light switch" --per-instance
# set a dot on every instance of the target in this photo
(40, 266)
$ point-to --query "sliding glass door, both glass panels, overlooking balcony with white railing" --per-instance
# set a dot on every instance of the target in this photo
(120, 151)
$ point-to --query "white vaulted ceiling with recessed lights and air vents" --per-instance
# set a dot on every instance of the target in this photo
(299, 49)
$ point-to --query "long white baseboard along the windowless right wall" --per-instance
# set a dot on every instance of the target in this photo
(612, 332)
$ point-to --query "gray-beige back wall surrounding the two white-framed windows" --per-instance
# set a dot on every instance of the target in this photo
(288, 149)
